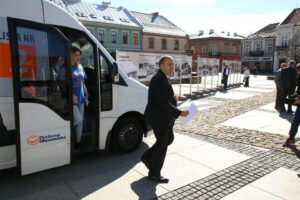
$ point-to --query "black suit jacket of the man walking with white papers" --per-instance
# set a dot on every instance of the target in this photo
(161, 110)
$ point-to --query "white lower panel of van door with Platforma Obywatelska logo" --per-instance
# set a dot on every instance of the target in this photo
(45, 138)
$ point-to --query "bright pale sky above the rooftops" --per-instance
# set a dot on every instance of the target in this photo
(241, 16)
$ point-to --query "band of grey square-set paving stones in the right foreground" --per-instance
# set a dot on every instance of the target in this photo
(229, 180)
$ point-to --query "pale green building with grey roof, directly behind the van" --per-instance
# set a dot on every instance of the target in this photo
(115, 28)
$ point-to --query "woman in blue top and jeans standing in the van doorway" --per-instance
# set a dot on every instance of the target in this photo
(79, 94)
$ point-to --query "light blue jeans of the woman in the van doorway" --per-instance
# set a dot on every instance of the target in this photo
(78, 114)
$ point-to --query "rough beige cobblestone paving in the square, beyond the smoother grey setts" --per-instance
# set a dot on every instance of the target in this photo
(207, 123)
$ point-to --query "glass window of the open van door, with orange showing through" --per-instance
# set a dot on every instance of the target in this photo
(40, 64)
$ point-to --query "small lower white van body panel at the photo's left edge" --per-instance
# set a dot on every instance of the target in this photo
(8, 157)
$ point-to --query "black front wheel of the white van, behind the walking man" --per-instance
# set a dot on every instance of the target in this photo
(127, 135)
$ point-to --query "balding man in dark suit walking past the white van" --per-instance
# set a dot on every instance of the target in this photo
(160, 113)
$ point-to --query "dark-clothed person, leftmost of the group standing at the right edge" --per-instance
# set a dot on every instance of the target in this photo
(279, 103)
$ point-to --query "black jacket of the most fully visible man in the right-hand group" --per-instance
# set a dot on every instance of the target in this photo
(289, 78)
